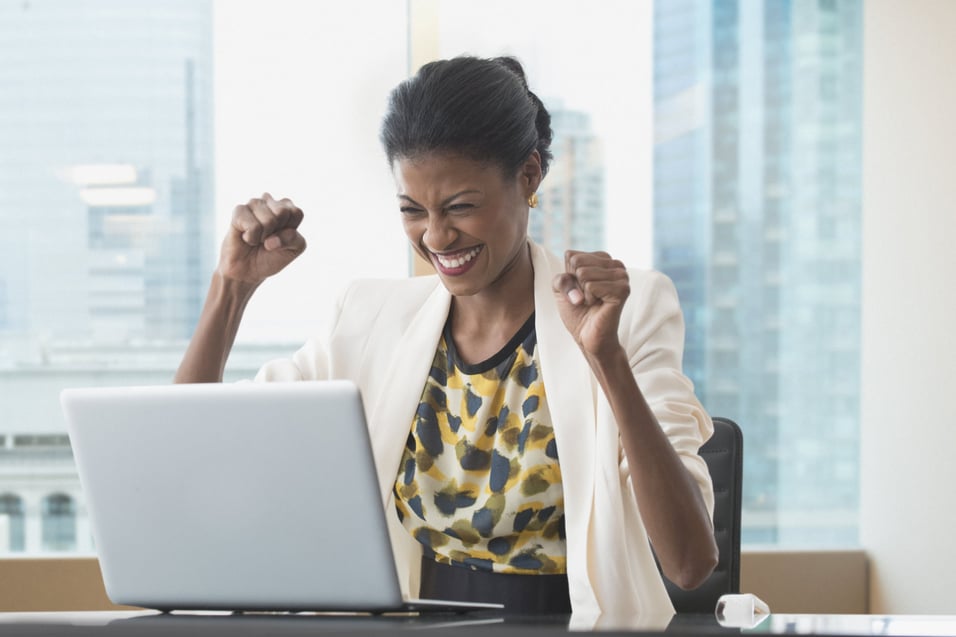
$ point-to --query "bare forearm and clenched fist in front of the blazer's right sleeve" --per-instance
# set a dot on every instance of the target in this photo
(590, 297)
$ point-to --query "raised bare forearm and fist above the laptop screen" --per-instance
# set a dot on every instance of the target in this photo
(262, 239)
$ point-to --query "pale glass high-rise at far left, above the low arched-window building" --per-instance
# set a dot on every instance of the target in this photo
(105, 168)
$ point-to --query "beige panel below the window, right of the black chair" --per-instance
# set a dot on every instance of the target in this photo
(807, 582)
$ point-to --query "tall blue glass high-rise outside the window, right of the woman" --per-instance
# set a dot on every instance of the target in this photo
(757, 220)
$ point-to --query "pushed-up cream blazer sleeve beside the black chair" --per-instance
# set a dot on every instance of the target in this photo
(654, 341)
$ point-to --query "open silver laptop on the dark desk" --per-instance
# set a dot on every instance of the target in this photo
(242, 497)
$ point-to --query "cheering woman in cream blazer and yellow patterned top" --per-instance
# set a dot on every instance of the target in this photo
(531, 427)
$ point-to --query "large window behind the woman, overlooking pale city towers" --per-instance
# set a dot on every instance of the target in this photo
(676, 146)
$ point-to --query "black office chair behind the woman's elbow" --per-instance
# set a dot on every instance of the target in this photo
(723, 454)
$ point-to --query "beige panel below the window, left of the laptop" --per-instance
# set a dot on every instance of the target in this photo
(43, 584)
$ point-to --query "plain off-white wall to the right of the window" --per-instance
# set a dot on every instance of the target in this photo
(908, 461)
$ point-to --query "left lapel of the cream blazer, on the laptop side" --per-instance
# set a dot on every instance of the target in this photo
(400, 391)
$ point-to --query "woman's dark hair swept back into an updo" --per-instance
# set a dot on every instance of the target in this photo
(479, 108)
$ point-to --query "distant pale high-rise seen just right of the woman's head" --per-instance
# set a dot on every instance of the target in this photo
(571, 214)
